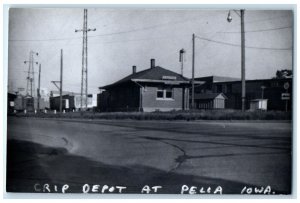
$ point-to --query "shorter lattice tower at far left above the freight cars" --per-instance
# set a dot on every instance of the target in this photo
(30, 74)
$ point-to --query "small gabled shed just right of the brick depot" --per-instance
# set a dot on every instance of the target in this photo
(210, 100)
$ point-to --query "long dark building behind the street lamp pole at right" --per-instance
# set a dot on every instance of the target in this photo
(277, 92)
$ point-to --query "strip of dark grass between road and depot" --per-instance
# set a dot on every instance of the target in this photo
(173, 115)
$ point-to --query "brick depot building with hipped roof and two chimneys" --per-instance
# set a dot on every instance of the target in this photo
(153, 89)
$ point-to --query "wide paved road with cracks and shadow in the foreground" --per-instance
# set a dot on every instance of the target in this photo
(136, 153)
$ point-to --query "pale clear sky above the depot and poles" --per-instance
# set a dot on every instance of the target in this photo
(127, 37)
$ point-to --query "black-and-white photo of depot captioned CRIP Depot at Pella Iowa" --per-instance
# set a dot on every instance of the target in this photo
(150, 100)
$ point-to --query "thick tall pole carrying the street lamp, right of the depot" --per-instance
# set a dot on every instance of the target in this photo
(243, 59)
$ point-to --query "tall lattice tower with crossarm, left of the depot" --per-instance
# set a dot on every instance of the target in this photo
(84, 71)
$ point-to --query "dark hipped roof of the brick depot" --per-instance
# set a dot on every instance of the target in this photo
(152, 74)
